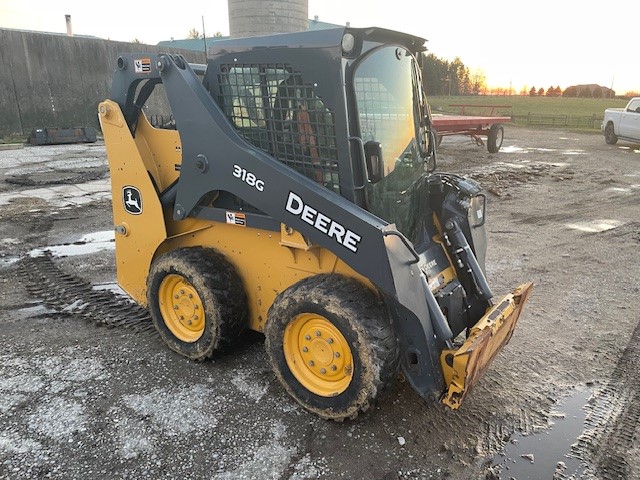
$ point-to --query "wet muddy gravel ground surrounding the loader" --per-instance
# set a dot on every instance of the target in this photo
(81, 400)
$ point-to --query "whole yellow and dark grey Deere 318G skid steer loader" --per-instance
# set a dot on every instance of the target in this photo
(290, 187)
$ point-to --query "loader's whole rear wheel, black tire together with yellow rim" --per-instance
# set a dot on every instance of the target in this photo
(197, 301)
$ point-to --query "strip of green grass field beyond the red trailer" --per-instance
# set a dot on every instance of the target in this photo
(521, 106)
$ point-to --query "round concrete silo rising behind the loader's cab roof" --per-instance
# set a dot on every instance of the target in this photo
(248, 18)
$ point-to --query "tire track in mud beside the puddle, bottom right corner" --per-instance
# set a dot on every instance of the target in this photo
(613, 418)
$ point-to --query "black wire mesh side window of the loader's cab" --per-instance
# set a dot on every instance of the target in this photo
(273, 109)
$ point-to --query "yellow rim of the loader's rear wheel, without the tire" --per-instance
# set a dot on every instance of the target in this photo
(181, 308)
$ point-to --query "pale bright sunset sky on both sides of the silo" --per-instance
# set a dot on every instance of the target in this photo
(513, 43)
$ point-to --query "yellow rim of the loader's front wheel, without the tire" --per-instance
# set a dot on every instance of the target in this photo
(318, 355)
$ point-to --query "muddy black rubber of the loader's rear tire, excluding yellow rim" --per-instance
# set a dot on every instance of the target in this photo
(220, 289)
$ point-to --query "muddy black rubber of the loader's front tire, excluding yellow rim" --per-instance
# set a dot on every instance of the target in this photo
(364, 322)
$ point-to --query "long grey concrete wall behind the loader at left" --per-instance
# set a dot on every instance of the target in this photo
(49, 80)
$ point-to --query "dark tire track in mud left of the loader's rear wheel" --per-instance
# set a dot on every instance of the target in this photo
(70, 294)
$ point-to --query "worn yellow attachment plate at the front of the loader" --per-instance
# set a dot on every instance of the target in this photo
(463, 366)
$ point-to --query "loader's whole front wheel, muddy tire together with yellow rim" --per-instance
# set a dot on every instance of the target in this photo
(331, 344)
